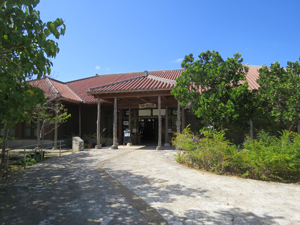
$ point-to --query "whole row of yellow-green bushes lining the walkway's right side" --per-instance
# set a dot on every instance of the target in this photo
(267, 158)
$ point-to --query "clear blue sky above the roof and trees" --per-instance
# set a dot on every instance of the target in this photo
(104, 37)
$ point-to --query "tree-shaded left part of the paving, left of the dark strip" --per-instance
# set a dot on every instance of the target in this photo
(66, 190)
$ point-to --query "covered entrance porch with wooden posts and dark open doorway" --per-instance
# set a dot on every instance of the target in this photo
(150, 116)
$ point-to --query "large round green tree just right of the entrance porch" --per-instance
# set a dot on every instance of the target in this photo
(216, 90)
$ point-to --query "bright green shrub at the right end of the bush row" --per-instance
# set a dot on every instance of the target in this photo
(272, 158)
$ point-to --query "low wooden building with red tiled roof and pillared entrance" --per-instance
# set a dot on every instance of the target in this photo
(140, 102)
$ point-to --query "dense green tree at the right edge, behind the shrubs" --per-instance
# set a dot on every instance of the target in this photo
(279, 93)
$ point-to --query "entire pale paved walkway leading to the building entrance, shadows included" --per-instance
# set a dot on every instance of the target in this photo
(129, 186)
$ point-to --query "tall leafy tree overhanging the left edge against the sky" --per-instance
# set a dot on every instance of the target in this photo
(25, 52)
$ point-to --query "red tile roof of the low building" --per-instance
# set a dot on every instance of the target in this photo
(137, 81)
